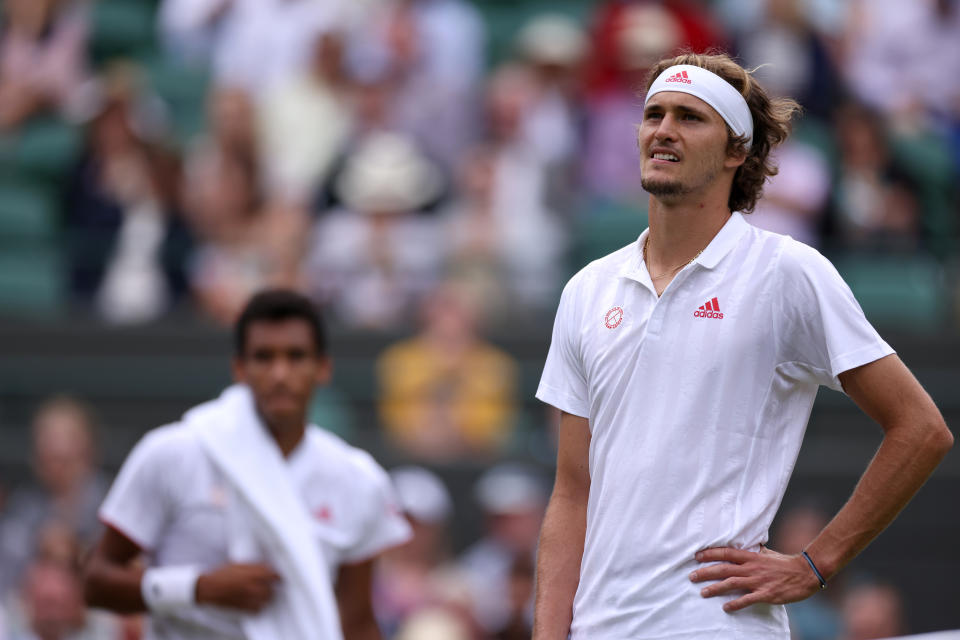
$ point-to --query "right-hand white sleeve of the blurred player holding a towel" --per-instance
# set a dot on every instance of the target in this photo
(384, 524)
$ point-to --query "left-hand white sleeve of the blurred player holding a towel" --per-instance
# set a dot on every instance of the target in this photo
(138, 503)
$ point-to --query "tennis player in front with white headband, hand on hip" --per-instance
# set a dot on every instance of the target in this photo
(685, 366)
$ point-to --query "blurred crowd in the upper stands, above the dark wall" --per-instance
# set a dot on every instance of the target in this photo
(370, 152)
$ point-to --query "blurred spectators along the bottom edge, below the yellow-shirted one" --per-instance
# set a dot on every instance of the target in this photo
(423, 590)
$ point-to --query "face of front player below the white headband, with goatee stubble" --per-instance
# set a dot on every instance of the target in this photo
(683, 146)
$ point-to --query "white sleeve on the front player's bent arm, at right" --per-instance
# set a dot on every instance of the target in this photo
(822, 327)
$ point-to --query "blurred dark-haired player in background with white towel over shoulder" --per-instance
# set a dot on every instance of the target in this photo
(247, 515)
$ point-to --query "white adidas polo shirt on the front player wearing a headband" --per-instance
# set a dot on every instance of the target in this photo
(697, 402)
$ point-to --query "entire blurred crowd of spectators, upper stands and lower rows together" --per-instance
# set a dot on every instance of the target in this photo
(385, 158)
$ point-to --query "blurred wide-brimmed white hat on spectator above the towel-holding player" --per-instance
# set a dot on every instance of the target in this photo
(387, 173)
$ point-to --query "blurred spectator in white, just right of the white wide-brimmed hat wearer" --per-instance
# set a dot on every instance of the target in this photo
(502, 204)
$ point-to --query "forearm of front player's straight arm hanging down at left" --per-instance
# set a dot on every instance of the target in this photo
(558, 565)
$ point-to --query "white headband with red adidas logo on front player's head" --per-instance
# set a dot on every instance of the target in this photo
(712, 89)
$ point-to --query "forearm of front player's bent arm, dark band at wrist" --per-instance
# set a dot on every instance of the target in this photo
(906, 458)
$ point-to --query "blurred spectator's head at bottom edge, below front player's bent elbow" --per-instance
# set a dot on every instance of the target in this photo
(872, 610)
